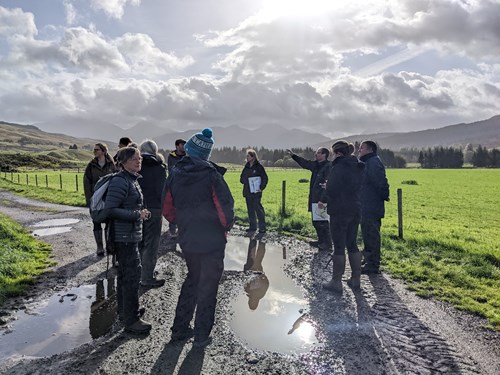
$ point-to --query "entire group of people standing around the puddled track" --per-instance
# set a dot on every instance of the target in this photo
(199, 206)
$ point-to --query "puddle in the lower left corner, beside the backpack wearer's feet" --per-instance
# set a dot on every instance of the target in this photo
(65, 321)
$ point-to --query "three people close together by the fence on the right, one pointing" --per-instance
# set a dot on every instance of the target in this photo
(354, 191)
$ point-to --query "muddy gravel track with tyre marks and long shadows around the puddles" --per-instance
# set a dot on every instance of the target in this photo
(384, 329)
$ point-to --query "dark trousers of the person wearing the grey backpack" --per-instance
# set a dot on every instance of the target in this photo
(129, 276)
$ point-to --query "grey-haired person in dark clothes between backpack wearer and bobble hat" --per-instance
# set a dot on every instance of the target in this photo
(154, 176)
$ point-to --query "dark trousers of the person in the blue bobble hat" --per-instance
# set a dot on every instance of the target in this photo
(199, 291)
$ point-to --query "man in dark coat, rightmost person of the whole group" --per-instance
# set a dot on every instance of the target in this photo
(374, 192)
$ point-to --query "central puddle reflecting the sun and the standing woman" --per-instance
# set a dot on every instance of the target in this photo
(271, 312)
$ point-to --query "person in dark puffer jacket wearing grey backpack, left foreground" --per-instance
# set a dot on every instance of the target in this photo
(124, 206)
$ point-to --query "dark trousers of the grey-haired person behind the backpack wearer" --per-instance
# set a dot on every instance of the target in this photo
(151, 231)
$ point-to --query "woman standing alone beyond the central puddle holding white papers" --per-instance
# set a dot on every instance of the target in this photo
(253, 195)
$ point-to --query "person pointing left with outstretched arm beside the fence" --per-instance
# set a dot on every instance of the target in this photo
(319, 168)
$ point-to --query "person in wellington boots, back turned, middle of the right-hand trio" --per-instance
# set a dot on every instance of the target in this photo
(344, 207)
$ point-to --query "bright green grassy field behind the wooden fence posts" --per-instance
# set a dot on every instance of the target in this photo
(451, 246)
